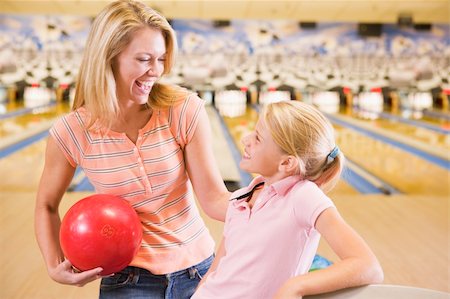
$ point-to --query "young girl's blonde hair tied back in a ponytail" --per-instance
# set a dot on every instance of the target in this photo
(305, 133)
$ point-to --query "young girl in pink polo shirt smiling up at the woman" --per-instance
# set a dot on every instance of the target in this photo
(273, 226)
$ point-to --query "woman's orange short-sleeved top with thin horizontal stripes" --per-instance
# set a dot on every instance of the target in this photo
(151, 175)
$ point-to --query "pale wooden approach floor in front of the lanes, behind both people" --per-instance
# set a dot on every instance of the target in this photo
(409, 234)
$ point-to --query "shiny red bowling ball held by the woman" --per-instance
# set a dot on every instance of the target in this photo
(101, 231)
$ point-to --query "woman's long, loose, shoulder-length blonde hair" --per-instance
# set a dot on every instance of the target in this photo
(111, 32)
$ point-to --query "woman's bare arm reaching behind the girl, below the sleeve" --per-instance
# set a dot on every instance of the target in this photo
(203, 171)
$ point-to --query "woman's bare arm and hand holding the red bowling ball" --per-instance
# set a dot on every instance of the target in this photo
(55, 179)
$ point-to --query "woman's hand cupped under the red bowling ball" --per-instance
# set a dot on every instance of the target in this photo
(64, 273)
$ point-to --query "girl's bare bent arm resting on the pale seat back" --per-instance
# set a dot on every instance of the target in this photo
(357, 265)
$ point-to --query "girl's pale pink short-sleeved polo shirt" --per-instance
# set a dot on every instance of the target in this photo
(269, 243)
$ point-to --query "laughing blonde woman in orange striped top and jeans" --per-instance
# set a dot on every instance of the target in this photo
(144, 141)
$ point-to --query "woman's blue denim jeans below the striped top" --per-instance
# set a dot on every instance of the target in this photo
(135, 283)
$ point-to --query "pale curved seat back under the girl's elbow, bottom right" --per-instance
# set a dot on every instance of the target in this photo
(383, 292)
